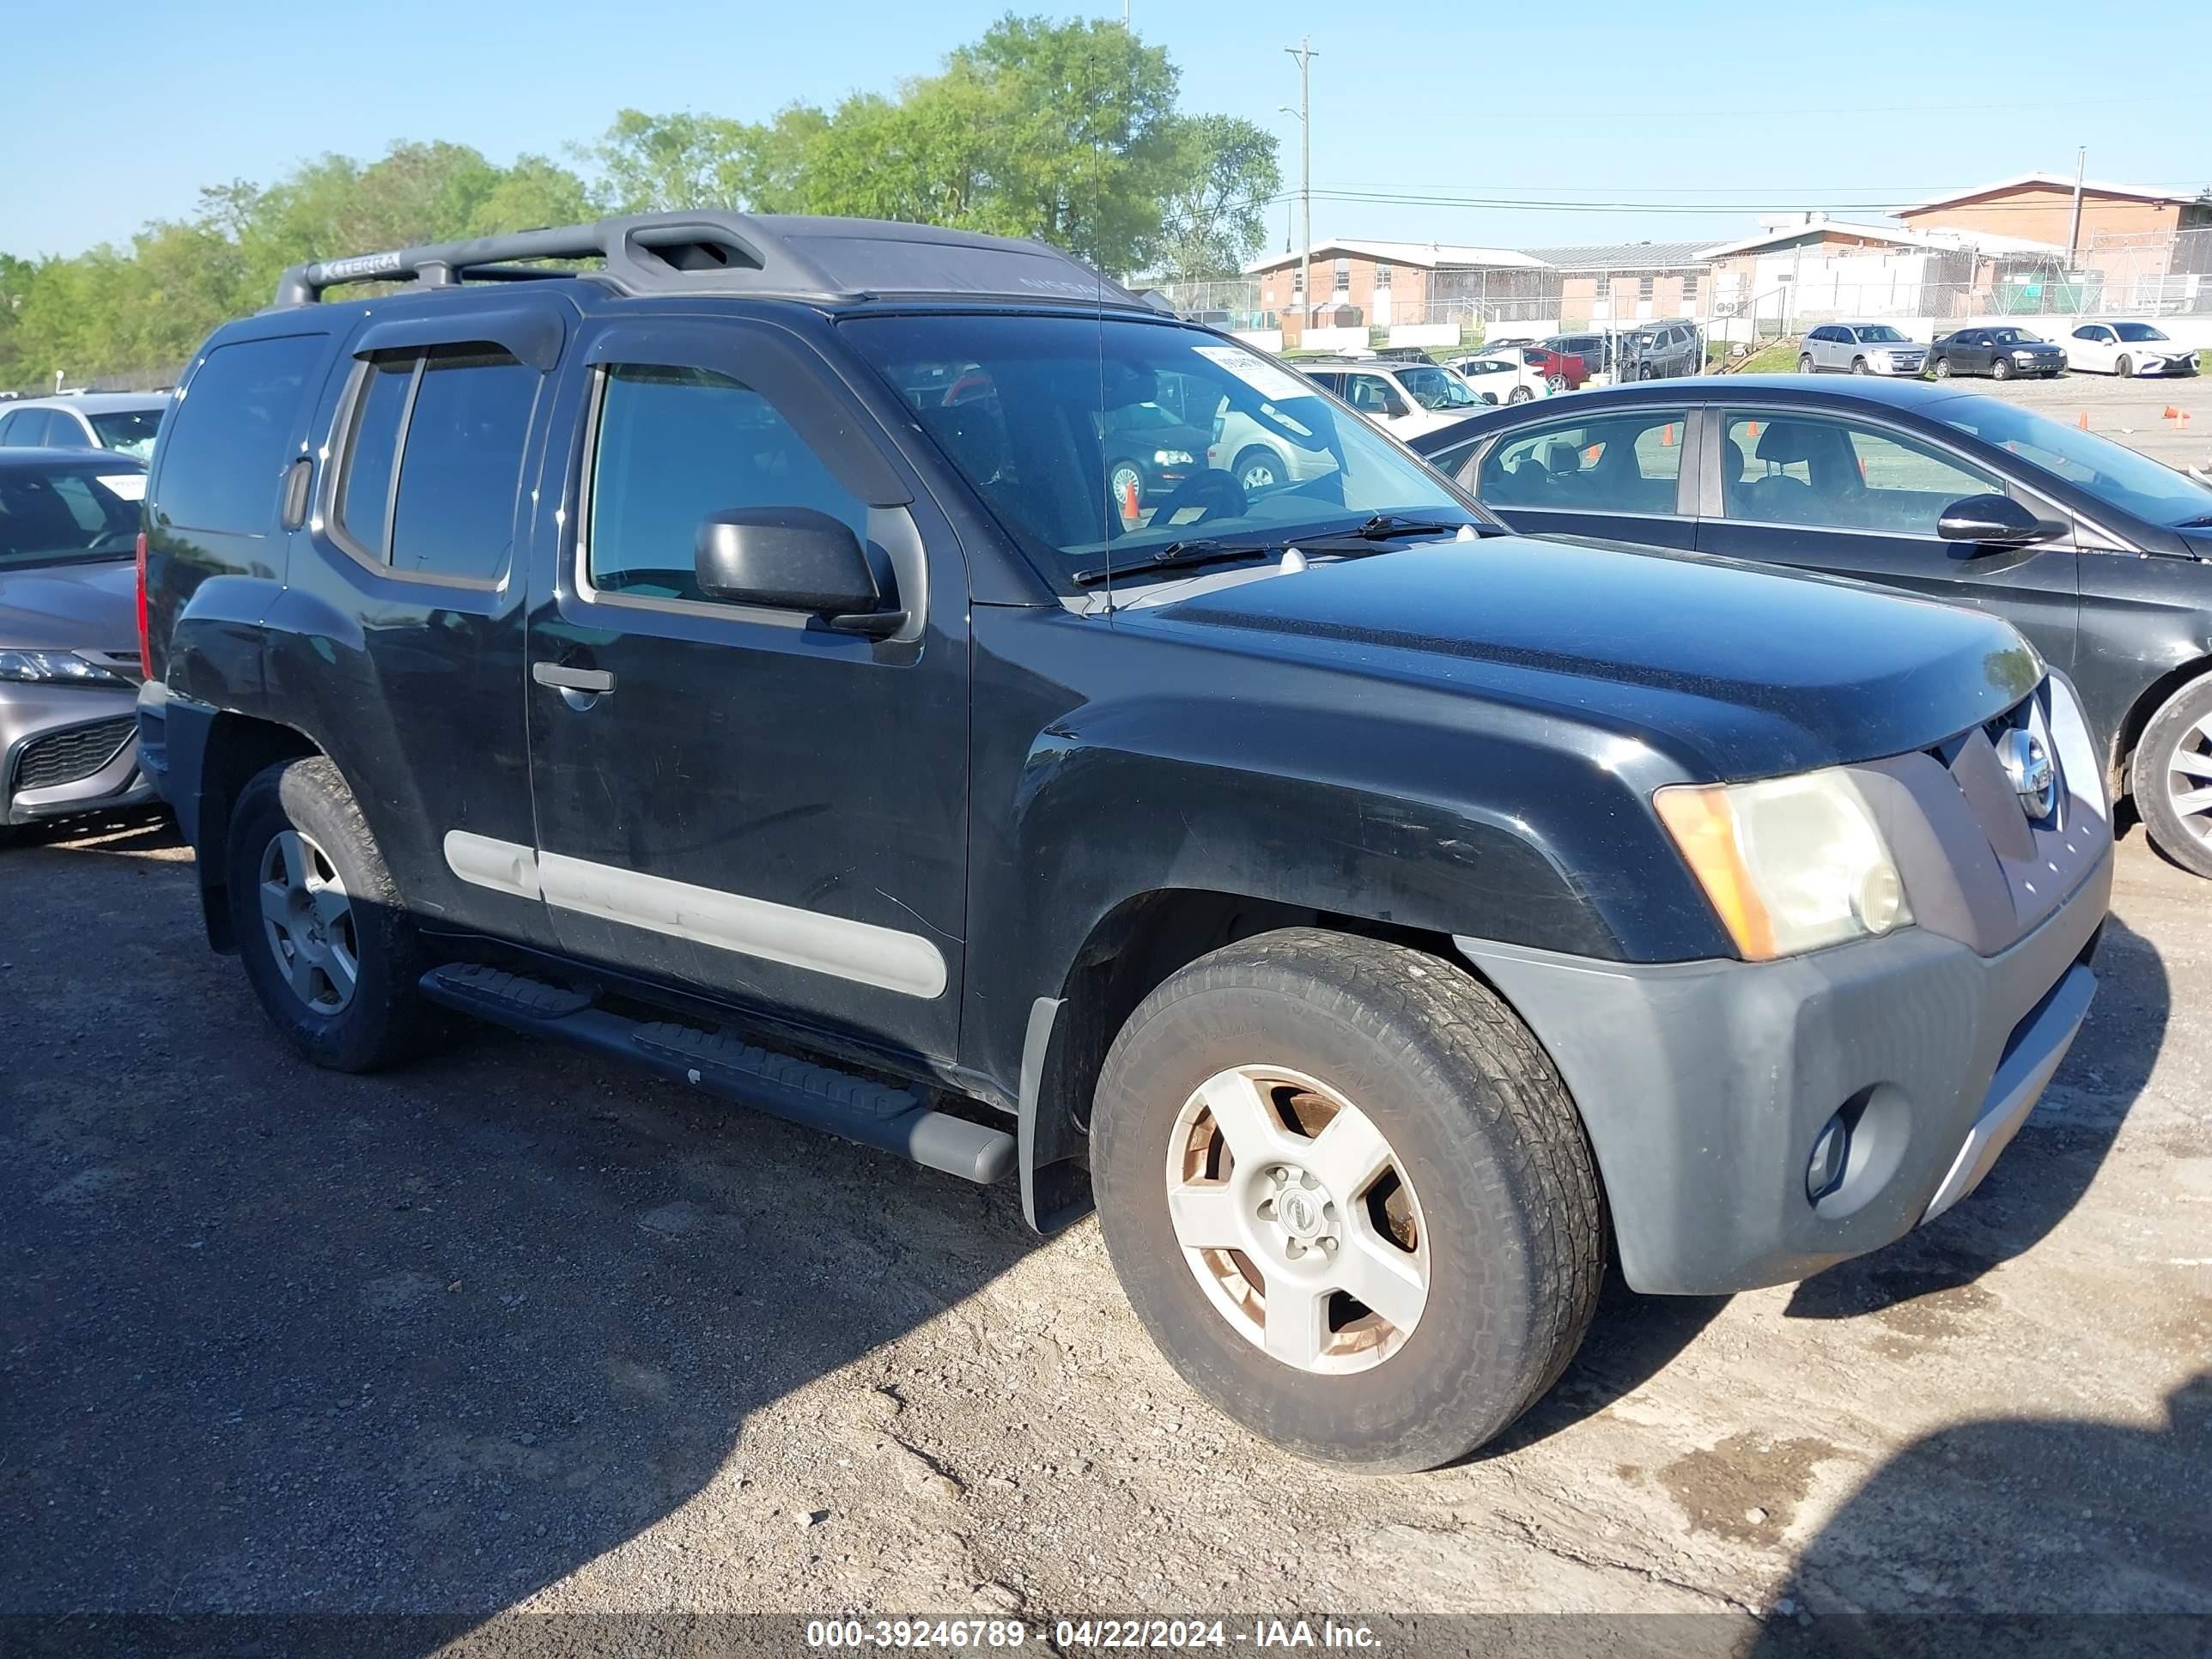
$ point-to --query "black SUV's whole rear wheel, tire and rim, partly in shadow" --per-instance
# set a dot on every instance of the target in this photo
(322, 935)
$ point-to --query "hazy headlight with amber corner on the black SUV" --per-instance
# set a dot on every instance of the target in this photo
(1788, 864)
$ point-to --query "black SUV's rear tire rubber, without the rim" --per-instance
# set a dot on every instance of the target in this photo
(386, 1021)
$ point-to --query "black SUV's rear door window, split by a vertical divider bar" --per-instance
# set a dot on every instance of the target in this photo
(432, 461)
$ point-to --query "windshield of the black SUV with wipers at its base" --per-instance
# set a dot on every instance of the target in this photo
(1014, 404)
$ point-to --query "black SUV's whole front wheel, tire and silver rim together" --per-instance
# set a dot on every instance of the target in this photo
(1348, 1198)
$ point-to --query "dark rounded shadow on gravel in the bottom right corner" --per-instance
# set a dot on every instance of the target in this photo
(2109, 1545)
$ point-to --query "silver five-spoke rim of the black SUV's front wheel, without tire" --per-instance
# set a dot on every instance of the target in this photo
(1297, 1220)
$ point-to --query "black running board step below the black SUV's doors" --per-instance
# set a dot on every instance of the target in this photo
(893, 1120)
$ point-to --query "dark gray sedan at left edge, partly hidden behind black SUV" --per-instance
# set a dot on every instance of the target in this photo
(70, 660)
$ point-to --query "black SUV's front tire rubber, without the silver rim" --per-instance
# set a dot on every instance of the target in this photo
(1479, 1120)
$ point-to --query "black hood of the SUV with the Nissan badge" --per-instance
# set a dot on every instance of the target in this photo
(1731, 669)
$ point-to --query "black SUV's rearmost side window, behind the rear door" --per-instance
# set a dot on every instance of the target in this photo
(227, 448)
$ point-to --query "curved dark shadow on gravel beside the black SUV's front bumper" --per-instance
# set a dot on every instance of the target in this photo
(2045, 1171)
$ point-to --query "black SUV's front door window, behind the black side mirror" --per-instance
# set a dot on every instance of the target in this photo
(678, 446)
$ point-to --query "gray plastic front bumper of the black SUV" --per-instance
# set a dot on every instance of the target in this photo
(1704, 1085)
